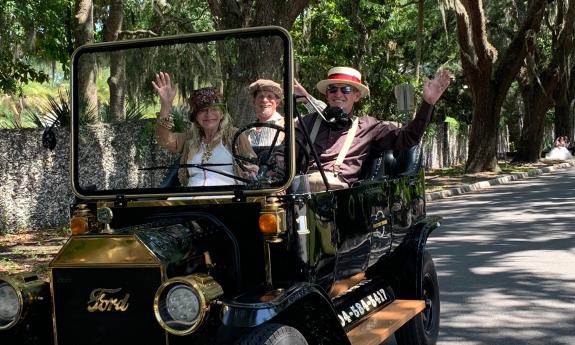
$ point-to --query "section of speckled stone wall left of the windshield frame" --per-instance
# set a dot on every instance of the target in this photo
(34, 183)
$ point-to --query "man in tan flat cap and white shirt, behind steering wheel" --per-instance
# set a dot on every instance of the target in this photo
(266, 96)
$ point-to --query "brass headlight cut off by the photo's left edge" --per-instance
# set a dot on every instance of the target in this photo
(17, 295)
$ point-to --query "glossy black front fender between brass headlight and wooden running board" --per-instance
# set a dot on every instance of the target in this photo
(302, 305)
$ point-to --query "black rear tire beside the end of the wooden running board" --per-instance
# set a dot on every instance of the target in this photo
(424, 328)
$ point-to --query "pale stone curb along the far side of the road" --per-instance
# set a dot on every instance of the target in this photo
(497, 181)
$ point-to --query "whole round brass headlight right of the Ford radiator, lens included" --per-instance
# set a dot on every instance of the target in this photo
(182, 303)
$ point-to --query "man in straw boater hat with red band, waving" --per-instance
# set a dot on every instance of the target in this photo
(329, 128)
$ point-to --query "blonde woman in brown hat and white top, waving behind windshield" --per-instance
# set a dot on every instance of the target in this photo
(209, 140)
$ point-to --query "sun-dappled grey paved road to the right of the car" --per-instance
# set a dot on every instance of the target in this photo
(506, 263)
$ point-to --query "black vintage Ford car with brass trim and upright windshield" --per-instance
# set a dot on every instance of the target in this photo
(263, 258)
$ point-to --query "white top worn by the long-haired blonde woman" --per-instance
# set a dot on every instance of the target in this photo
(201, 177)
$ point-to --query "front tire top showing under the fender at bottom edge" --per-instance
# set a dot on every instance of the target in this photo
(273, 334)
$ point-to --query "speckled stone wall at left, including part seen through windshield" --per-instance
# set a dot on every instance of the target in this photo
(35, 187)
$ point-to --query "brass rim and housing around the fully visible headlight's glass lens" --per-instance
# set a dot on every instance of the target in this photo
(207, 288)
